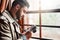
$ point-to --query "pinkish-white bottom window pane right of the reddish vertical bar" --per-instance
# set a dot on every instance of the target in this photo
(51, 33)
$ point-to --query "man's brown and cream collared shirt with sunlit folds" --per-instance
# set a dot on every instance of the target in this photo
(8, 30)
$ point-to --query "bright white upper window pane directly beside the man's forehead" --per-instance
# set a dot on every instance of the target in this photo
(34, 5)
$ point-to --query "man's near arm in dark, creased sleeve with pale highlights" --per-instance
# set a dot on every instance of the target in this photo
(5, 33)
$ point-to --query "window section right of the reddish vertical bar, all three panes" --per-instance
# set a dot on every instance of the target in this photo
(50, 17)
